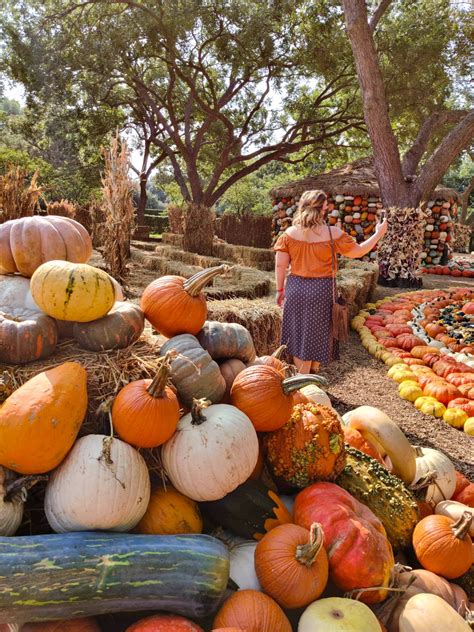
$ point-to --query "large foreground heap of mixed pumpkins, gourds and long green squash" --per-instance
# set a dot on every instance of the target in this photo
(273, 514)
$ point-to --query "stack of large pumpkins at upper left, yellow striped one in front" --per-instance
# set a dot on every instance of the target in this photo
(65, 297)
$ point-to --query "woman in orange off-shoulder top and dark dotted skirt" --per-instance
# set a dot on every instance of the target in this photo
(307, 294)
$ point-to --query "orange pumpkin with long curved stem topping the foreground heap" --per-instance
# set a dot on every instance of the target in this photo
(175, 305)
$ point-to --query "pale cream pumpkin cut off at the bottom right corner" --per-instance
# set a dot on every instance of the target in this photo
(426, 612)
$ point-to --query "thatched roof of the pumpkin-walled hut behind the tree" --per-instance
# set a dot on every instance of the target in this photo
(356, 178)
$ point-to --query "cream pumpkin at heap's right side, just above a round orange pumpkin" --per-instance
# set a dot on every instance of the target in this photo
(435, 463)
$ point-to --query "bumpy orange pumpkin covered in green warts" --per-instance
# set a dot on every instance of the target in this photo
(309, 447)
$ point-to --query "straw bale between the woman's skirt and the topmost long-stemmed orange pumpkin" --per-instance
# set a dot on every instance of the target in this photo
(261, 318)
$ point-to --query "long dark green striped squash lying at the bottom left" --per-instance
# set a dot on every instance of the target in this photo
(83, 574)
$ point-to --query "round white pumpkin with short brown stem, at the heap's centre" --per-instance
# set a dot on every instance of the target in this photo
(213, 451)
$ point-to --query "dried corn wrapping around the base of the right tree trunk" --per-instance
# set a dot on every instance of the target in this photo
(400, 249)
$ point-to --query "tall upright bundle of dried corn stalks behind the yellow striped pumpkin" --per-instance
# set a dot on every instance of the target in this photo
(119, 212)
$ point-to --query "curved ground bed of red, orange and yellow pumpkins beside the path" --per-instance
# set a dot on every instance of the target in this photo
(425, 338)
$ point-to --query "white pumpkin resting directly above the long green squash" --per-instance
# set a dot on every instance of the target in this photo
(102, 484)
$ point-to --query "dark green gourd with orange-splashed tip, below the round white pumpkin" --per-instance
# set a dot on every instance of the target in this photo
(250, 511)
